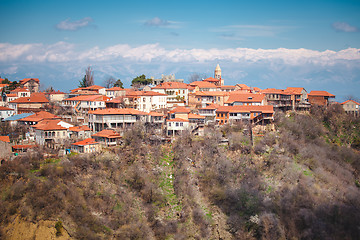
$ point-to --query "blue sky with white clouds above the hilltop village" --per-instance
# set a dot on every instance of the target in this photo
(267, 44)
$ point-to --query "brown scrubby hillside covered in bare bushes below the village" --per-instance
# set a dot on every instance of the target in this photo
(300, 181)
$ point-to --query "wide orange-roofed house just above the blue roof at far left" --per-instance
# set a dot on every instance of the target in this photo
(35, 103)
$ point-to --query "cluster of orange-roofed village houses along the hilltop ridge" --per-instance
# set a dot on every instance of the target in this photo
(95, 117)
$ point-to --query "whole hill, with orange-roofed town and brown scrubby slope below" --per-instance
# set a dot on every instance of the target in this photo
(170, 160)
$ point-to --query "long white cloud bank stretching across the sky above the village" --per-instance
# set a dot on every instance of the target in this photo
(66, 52)
